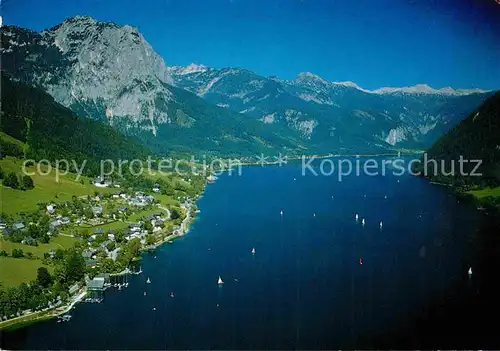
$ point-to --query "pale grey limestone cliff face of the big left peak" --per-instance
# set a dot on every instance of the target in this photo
(105, 70)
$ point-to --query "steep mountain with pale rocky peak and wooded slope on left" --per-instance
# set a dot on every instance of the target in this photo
(111, 74)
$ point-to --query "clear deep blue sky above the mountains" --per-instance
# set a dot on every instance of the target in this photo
(371, 42)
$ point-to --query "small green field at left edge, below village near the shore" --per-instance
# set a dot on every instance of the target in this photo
(15, 271)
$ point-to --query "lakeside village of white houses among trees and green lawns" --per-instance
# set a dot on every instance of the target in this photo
(108, 230)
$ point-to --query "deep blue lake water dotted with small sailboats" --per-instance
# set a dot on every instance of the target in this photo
(304, 287)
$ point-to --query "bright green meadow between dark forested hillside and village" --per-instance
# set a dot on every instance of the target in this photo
(46, 188)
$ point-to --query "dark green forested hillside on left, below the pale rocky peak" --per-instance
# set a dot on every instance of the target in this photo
(51, 131)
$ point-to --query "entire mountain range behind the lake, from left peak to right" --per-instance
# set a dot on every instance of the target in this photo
(111, 74)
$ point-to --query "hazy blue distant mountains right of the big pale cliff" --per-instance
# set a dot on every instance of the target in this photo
(334, 113)
